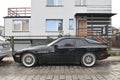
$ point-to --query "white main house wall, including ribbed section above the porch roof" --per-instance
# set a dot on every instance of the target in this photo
(40, 13)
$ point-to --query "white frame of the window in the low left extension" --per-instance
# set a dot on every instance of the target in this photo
(21, 25)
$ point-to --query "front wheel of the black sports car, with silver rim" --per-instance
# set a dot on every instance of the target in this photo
(29, 60)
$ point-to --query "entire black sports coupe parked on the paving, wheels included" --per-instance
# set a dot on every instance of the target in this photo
(62, 51)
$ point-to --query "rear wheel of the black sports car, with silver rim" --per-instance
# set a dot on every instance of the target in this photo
(88, 60)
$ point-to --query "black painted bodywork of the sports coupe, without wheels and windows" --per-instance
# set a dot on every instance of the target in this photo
(50, 54)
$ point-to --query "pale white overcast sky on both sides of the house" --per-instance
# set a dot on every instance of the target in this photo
(5, 4)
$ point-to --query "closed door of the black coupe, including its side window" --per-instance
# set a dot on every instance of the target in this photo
(65, 51)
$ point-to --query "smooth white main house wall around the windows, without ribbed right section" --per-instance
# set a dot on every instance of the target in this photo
(40, 13)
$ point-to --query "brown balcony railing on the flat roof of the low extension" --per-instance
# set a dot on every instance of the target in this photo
(22, 11)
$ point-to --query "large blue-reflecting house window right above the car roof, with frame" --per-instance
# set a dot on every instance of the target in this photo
(54, 25)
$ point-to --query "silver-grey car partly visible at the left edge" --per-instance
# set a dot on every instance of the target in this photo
(5, 48)
